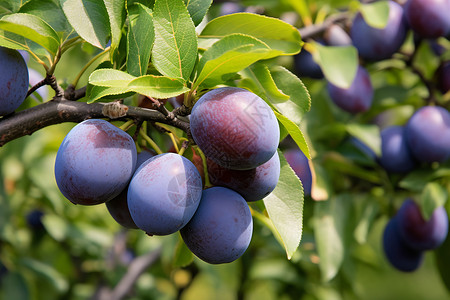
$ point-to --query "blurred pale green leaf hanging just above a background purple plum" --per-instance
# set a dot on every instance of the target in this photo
(339, 64)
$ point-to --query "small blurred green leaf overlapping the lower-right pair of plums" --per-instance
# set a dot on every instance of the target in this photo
(433, 196)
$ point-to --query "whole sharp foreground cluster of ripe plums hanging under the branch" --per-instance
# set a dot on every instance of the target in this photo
(163, 194)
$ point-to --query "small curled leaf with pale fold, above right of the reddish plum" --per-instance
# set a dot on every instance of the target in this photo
(291, 85)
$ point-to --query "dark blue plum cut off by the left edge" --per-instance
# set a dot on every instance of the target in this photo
(13, 80)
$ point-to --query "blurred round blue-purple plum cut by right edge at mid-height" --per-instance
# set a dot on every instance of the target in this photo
(428, 134)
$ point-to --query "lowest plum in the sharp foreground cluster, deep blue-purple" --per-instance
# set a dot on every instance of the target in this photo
(221, 229)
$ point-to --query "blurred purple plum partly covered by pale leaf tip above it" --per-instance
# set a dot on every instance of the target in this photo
(356, 98)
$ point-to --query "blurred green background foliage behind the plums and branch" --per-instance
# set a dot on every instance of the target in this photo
(51, 249)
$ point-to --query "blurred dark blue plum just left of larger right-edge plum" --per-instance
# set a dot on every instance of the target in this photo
(395, 154)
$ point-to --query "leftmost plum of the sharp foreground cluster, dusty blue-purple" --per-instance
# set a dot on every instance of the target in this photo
(94, 162)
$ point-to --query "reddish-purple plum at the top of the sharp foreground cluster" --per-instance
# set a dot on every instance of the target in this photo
(235, 128)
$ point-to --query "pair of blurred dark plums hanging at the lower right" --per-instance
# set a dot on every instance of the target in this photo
(407, 235)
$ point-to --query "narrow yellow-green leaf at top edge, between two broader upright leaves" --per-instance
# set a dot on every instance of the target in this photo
(116, 13)
